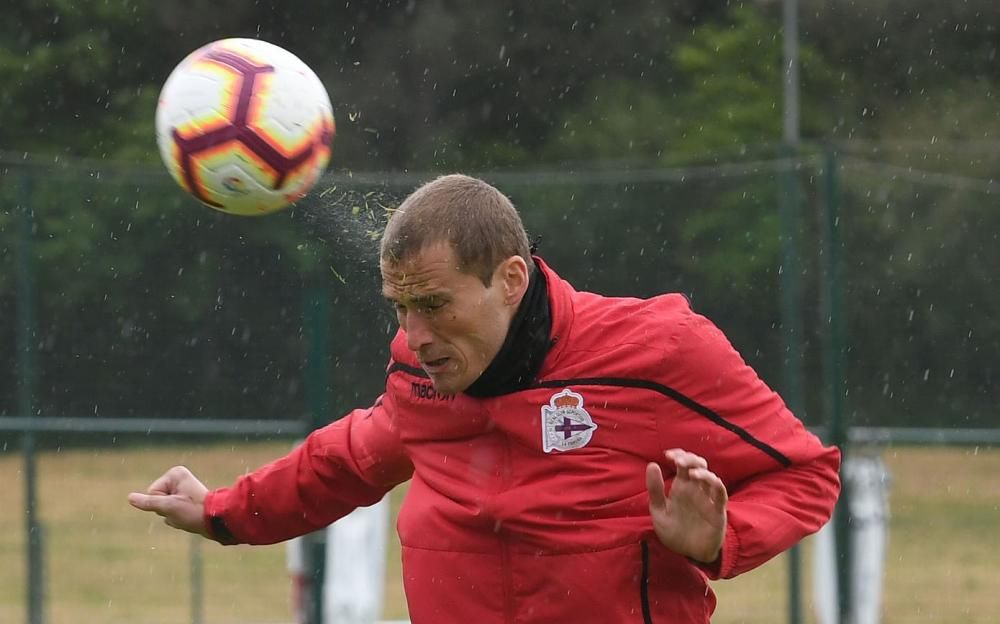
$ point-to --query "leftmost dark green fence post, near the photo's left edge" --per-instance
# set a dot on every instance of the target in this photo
(27, 380)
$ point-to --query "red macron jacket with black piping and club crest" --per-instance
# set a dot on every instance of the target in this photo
(532, 506)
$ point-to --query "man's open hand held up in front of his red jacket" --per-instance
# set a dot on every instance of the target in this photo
(691, 519)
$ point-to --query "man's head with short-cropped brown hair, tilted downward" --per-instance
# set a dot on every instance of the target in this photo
(455, 264)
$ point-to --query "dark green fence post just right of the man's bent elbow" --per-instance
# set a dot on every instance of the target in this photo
(833, 369)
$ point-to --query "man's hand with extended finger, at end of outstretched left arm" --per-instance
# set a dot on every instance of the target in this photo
(178, 496)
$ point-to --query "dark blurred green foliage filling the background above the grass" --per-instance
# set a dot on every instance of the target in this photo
(151, 306)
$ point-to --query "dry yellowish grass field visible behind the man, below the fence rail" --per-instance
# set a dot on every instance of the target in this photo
(107, 563)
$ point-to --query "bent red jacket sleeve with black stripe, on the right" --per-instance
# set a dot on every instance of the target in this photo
(782, 482)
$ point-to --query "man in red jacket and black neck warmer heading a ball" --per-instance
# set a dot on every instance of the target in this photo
(572, 457)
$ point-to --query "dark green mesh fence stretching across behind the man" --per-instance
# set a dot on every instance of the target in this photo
(857, 280)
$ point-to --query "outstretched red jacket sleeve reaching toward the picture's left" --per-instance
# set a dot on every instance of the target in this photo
(350, 463)
